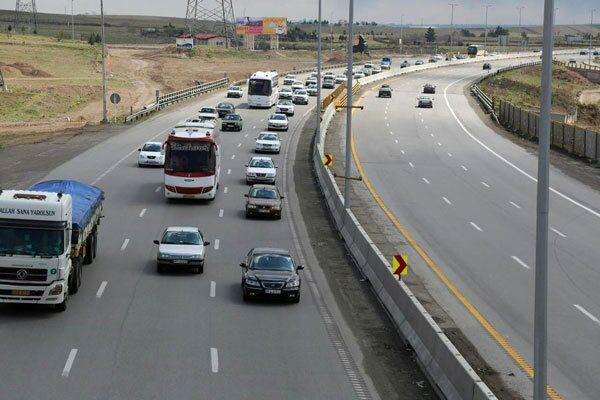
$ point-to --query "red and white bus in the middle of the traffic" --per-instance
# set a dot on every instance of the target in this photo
(192, 164)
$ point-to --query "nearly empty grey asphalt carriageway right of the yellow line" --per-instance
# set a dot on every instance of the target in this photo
(468, 195)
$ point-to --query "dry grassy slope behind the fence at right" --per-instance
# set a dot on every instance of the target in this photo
(522, 87)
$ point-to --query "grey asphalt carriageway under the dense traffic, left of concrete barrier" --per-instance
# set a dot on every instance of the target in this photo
(133, 334)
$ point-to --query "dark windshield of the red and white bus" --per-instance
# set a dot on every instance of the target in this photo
(182, 156)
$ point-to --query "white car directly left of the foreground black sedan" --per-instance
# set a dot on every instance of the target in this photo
(180, 247)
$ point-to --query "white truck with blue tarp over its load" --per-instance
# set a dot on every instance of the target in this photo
(47, 233)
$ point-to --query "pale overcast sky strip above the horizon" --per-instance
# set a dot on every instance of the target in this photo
(430, 12)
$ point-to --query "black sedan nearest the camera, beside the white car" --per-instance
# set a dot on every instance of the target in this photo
(270, 273)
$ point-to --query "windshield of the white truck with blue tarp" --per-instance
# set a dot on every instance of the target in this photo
(32, 242)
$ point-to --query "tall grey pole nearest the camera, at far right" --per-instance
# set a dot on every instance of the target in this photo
(540, 340)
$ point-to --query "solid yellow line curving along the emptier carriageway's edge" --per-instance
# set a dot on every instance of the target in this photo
(514, 354)
